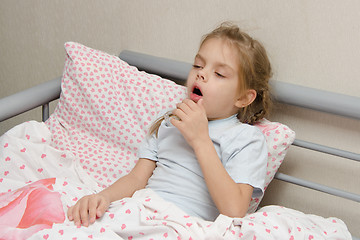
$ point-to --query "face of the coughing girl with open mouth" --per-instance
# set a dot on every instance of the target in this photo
(215, 78)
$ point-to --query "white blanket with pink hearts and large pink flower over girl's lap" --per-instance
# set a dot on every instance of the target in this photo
(38, 183)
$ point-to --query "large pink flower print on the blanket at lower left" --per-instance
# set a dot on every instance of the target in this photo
(29, 209)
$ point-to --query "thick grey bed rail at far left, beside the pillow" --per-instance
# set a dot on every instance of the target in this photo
(39, 95)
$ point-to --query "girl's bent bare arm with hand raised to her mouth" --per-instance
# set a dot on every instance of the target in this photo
(231, 198)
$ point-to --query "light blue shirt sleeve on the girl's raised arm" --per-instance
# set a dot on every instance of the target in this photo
(245, 158)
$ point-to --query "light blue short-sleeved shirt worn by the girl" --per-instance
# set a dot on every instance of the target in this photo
(178, 177)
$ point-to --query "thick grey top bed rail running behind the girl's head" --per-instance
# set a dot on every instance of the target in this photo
(287, 93)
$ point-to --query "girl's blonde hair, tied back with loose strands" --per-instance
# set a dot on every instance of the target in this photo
(254, 69)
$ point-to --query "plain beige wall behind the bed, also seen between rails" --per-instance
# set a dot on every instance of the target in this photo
(310, 43)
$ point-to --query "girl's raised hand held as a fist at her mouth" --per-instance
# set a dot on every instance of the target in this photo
(193, 122)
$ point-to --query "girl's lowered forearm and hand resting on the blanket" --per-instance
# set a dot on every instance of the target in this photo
(89, 207)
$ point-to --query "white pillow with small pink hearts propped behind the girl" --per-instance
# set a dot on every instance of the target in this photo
(106, 107)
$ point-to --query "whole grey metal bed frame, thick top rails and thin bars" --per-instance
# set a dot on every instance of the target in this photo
(290, 94)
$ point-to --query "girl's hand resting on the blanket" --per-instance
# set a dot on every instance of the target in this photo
(87, 209)
